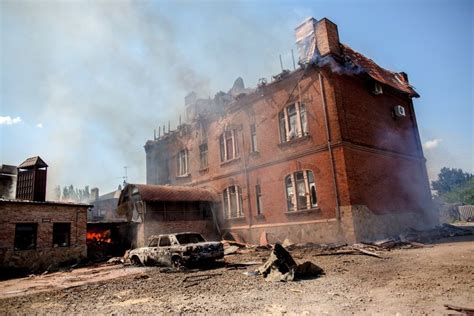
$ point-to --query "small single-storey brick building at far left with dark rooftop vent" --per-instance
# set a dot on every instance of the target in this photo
(36, 234)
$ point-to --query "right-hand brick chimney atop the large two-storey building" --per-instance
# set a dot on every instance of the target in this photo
(327, 38)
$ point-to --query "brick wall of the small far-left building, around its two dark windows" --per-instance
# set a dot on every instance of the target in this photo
(44, 214)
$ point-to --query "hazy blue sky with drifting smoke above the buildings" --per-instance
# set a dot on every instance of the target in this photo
(84, 83)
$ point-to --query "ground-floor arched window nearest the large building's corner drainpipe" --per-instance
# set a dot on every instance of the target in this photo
(300, 191)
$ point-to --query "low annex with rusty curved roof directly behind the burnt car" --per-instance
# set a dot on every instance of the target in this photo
(161, 209)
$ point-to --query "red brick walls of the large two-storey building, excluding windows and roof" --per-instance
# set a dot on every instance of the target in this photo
(355, 118)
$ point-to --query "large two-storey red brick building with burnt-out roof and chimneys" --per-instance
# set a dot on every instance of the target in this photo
(327, 152)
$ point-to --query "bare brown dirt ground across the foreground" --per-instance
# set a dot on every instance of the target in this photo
(406, 281)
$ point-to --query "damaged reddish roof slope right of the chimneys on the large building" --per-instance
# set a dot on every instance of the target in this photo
(392, 79)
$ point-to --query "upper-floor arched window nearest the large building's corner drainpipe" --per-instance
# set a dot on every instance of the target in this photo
(293, 121)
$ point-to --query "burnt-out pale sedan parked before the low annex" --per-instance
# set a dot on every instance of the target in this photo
(177, 250)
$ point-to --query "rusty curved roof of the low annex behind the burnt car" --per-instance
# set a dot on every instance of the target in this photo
(150, 192)
